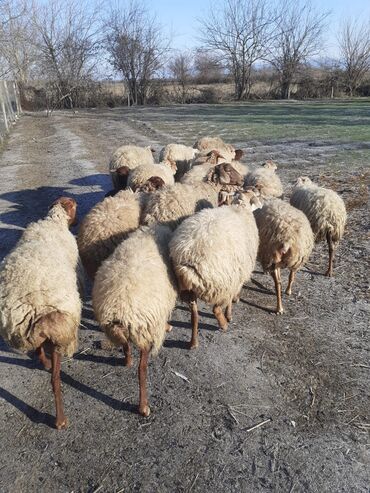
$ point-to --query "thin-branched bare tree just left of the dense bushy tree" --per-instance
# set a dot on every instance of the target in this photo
(67, 41)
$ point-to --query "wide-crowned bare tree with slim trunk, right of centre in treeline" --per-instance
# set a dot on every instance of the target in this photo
(240, 31)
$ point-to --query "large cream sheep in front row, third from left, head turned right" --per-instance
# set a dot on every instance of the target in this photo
(213, 254)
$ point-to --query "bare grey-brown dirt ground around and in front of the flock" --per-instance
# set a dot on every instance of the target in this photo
(307, 371)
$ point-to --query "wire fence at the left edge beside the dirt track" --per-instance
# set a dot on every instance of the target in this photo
(10, 107)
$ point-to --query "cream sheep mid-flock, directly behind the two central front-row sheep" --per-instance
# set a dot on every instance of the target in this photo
(174, 204)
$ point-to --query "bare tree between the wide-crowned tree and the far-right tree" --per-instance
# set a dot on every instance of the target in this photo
(299, 30)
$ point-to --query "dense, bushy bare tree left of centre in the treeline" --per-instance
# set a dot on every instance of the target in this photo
(137, 48)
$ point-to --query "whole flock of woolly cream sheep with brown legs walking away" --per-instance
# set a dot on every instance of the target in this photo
(190, 227)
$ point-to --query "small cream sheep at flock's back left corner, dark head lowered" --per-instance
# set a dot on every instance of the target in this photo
(130, 156)
